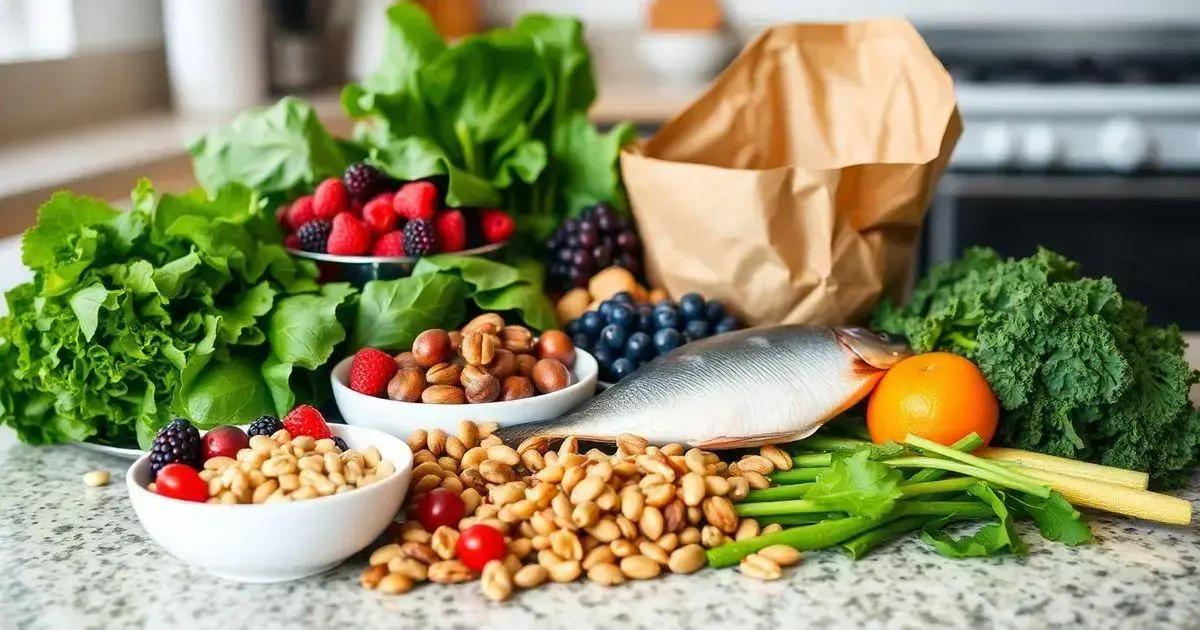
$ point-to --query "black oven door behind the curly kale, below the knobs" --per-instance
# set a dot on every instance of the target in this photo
(1143, 232)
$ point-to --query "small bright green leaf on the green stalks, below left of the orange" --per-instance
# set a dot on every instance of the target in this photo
(857, 485)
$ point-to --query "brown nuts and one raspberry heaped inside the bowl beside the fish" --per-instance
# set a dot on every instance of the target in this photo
(485, 362)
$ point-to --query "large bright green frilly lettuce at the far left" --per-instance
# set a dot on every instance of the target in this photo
(165, 310)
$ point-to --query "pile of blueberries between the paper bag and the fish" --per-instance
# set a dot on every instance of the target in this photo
(625, 337)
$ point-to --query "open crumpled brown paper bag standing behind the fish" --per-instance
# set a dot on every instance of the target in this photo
(795, 188)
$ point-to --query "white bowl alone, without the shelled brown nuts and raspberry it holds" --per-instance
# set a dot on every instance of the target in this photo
(403, 418)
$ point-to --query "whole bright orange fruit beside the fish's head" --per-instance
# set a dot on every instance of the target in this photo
(939, 397)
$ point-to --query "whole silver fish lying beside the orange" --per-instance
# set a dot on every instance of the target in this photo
(748, 388)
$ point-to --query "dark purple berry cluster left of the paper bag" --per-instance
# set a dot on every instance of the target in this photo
(583, 247)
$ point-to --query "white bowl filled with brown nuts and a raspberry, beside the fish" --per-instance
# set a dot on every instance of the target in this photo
(488, 373)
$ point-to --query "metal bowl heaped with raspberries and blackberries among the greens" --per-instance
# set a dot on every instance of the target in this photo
(365, 226)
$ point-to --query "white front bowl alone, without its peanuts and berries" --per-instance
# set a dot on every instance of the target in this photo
(278, 542)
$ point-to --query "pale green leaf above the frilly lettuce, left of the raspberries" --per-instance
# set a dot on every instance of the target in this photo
(280, 152)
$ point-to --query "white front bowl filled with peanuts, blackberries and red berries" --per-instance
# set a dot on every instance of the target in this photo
(273, 501)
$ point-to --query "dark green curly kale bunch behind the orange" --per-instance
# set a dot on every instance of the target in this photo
(1078, 371)
